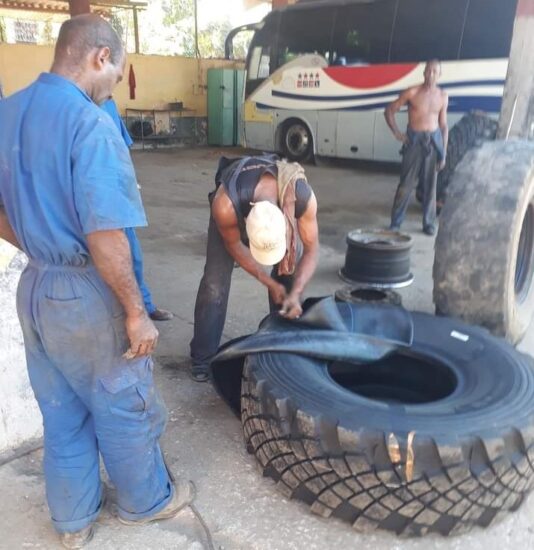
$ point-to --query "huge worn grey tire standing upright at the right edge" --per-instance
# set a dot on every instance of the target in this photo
(484, 252)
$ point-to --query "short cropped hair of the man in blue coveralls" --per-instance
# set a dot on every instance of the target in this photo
(82, 34)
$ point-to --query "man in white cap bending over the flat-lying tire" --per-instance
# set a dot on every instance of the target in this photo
(263, 213)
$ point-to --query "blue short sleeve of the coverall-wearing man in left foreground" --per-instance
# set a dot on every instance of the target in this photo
(106, 195)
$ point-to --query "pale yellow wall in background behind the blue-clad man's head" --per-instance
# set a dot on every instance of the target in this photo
(159, 79)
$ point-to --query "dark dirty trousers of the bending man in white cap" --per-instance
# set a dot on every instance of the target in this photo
(212, 298)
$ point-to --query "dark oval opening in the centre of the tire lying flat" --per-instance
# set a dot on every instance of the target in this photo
(397, 379)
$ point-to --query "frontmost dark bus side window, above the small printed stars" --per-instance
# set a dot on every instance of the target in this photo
(304, 31)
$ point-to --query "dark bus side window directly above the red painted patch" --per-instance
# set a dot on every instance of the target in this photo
(362, 33)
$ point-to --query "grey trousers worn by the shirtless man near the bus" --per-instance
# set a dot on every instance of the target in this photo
(419, 163)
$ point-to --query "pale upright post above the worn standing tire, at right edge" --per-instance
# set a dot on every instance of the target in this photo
(517, 112)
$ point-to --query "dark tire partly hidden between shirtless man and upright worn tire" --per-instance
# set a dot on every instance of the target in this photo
(470, 131)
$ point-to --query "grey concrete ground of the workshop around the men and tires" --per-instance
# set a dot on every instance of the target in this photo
(203, 439)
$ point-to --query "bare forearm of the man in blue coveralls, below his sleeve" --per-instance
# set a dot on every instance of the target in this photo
(111, 254)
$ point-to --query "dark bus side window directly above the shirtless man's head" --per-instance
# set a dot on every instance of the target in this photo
(428, 29)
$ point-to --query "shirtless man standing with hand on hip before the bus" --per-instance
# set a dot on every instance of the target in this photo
(424, 149)
